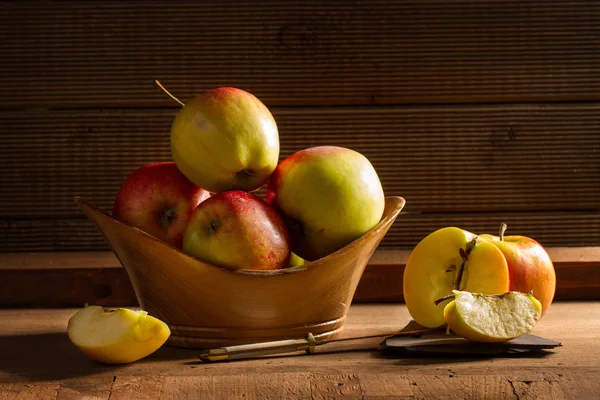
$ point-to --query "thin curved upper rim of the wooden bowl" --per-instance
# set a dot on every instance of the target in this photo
(385, 220)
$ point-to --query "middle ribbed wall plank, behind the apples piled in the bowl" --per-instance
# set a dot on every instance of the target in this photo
(441, 159)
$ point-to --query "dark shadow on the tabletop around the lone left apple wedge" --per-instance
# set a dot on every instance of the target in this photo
(52, 356)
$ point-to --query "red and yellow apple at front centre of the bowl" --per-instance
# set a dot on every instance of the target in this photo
(237, 230)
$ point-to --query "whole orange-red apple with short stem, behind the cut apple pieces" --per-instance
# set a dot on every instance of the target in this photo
(529, 265)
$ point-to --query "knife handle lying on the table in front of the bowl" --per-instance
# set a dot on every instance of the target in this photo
(260, 349)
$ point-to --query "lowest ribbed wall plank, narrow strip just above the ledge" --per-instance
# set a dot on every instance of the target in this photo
(552, 229)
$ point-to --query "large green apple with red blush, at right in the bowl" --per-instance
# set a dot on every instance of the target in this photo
(328, 196)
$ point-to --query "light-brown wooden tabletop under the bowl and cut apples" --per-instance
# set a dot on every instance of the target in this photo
(38, 360)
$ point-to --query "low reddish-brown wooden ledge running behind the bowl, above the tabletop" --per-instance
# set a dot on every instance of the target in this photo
(73, 279)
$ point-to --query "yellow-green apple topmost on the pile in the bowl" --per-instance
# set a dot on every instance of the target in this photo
(225, 139)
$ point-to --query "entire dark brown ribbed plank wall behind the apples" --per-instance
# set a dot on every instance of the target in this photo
(476, 112)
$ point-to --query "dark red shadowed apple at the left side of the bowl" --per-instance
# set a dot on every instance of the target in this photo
(158, 199)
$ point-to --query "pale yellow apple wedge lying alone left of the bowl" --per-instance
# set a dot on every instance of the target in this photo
(116, 336)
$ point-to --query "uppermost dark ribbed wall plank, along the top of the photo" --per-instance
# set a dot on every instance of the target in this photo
(80, 54)
